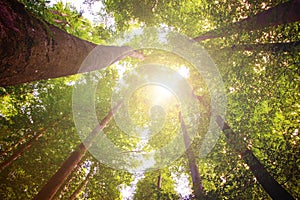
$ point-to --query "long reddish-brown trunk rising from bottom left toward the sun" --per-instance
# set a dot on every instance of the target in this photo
(56, 181)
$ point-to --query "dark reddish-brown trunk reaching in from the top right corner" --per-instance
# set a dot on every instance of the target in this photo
(281, 14)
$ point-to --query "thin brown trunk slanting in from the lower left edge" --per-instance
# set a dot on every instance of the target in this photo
(23, 148)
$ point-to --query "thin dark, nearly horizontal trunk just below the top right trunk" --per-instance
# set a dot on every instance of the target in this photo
(273, 47)
